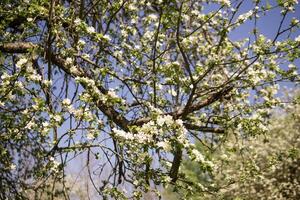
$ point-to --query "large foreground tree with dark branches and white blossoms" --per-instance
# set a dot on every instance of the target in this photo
(133, 84)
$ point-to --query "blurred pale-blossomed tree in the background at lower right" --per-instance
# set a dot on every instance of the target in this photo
(261, 167)
